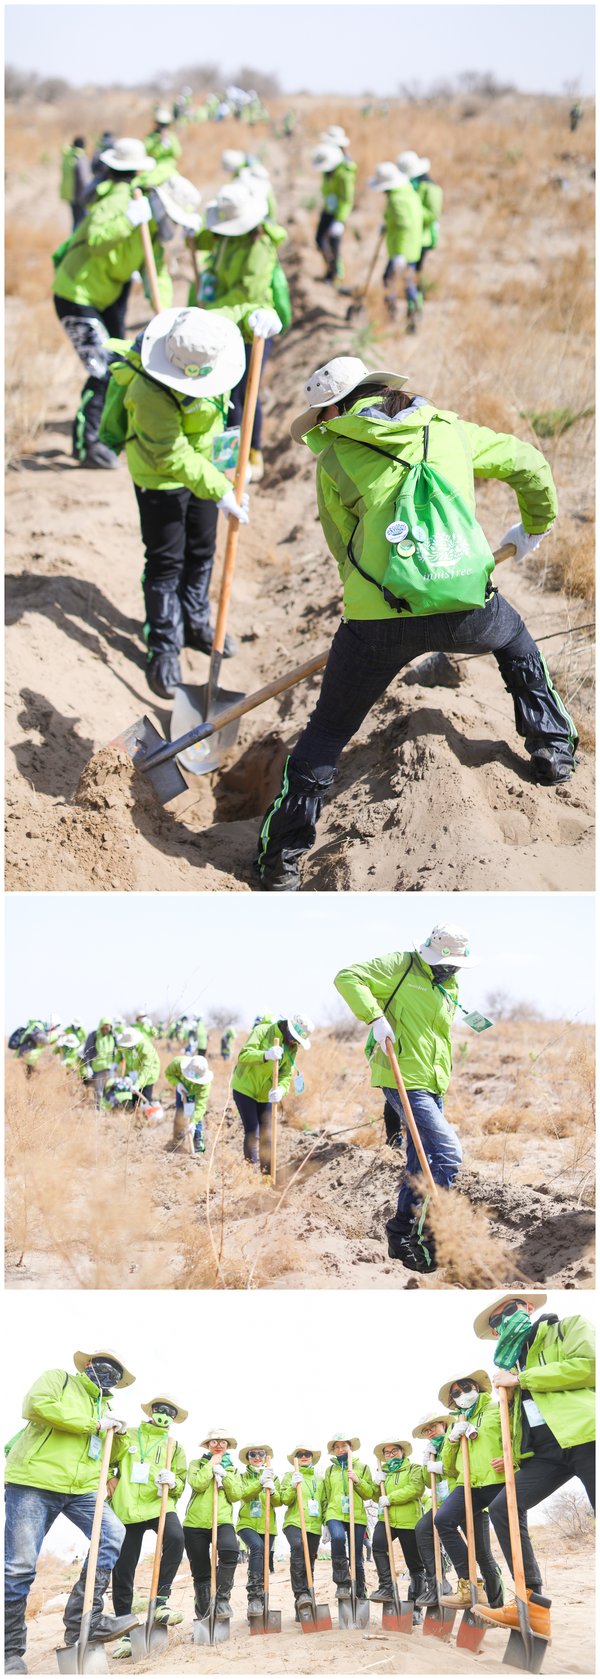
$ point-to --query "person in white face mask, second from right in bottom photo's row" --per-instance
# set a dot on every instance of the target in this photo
(478, 1420)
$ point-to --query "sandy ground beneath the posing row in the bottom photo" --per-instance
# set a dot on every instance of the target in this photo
(569, 1581)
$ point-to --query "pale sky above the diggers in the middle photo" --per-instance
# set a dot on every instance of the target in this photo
(95, 955)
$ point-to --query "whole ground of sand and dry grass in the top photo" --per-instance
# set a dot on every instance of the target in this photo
(436, 787)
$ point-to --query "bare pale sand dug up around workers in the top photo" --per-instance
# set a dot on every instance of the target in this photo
(434, 790)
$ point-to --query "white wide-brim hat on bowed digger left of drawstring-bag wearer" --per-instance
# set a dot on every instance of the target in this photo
(196, 352)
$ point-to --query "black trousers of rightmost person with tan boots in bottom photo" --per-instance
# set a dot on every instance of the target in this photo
(537, 1480)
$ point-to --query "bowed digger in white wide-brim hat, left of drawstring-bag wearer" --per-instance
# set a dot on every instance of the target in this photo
(176, 387)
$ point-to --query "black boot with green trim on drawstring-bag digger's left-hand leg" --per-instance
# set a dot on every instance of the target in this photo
(290, 825)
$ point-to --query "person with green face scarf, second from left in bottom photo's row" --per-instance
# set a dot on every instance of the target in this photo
(135, 1492)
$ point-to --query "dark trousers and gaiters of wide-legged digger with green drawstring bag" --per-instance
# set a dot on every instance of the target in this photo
(366, 659)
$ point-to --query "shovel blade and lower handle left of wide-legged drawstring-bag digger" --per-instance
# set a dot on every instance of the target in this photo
(155, 758)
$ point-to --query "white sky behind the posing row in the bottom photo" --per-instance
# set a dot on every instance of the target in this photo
(339, 1383)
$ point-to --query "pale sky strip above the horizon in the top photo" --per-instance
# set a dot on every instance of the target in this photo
(350, 48)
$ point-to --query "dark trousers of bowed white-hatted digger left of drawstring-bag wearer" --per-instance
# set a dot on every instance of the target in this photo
(179, 535)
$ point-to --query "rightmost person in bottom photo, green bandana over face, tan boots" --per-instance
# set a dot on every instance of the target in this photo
(549, 1368)
